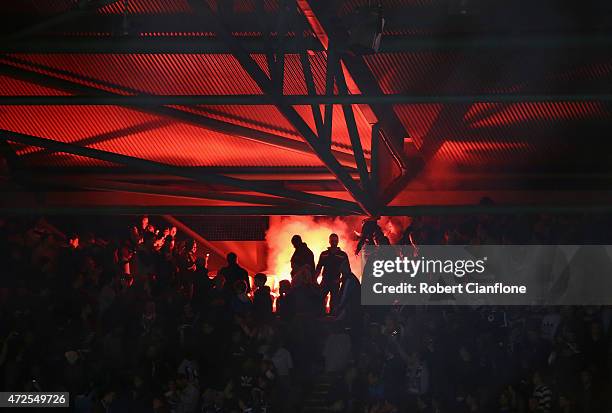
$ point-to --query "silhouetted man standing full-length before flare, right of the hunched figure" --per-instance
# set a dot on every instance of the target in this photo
(331, 262)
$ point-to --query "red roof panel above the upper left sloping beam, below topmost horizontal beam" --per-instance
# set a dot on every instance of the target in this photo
(170, 77)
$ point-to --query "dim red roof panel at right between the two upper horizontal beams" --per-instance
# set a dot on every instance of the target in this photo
(492, 71)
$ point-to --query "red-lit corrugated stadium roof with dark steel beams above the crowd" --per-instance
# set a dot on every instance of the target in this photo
(262, 107)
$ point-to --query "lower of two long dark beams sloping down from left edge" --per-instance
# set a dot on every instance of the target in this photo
(198, 176)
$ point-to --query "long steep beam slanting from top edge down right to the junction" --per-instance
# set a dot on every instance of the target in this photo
(265, 84)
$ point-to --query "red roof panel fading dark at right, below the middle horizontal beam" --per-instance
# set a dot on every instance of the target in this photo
(500, 133)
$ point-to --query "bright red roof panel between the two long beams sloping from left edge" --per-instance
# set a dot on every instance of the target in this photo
(168, 142)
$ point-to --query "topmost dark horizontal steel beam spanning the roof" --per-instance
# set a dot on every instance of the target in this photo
(207, 45)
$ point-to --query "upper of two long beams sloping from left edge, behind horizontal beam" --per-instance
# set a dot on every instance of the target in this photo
(56, 80)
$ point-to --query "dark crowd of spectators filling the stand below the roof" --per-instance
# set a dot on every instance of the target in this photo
(135, 324)
